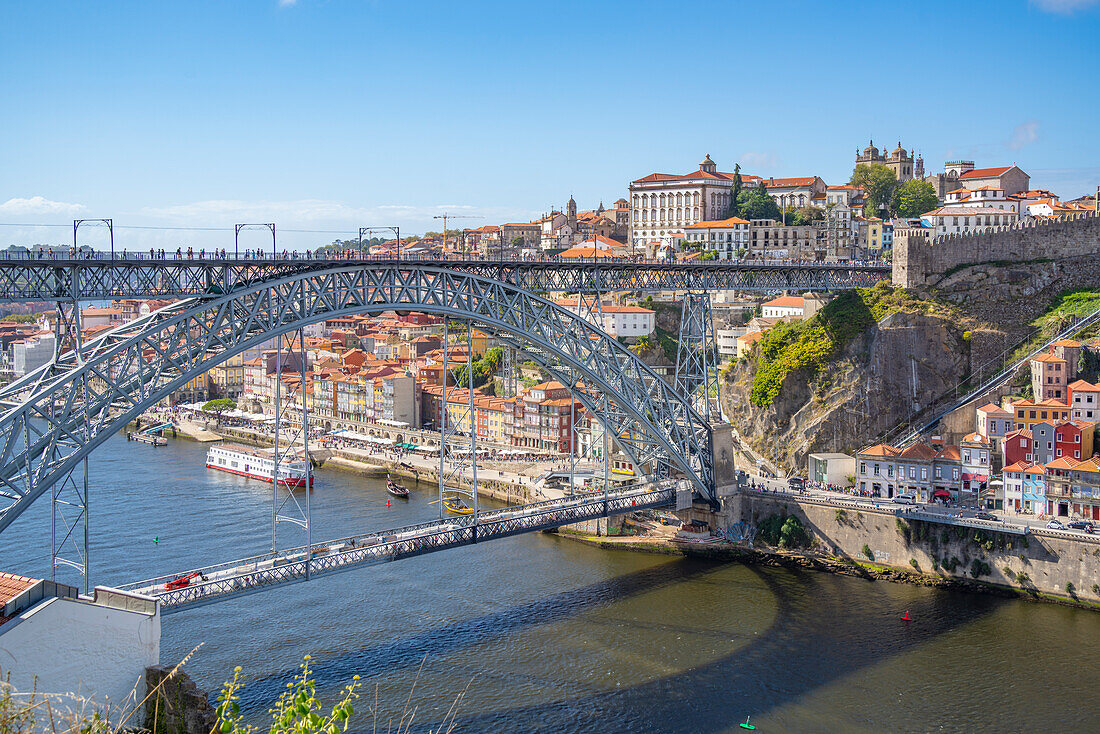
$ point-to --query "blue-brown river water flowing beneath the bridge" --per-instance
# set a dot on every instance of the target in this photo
(546, 634)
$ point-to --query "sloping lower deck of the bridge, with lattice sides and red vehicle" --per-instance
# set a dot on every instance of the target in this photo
(260, 573)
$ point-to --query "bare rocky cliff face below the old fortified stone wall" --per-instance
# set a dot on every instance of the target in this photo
(899, 365)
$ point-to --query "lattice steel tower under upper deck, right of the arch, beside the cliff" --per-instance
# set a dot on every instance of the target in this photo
(697, 375)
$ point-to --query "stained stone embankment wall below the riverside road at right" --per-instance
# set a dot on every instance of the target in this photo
(877, 544)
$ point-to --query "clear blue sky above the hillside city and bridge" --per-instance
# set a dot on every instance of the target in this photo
(334, 115)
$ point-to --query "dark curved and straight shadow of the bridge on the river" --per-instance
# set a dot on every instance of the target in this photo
(826, 629)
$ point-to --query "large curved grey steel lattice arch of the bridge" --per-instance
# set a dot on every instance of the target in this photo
(54, 418)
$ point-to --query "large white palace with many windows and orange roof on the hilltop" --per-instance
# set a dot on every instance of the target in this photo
(665, 204)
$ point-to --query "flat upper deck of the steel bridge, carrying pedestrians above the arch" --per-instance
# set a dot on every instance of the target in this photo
(100, 278)
